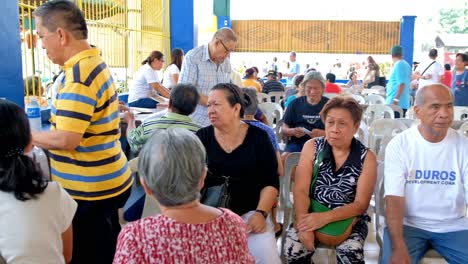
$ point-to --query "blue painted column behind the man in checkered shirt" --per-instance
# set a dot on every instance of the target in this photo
(183, 28)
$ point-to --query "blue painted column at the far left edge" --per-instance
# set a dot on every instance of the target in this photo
(11, 80)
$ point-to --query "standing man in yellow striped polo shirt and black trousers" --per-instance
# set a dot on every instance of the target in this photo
(85, 153)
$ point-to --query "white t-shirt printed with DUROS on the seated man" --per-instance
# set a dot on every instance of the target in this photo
(433, 178)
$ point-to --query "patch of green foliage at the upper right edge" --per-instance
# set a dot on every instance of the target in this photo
(454, 20)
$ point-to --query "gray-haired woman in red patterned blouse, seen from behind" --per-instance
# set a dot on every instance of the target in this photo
(186, 231)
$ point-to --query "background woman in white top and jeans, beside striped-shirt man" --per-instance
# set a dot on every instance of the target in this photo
(146, 84)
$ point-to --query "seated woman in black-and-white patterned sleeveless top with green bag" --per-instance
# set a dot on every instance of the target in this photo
(335, 179)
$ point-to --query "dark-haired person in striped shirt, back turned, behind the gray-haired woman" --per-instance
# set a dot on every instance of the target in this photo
(183, 101)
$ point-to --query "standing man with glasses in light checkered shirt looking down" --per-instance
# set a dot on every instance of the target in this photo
(206, 66)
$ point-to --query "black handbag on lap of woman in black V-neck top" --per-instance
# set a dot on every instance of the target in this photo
(217, 195)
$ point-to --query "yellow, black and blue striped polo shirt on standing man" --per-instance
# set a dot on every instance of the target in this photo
(87, 104)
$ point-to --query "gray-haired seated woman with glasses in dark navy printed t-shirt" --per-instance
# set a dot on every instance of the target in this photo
(302, 119)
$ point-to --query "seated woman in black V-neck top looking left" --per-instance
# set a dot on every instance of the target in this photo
(245, 154)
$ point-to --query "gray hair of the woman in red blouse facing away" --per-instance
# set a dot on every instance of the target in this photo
(172, 163)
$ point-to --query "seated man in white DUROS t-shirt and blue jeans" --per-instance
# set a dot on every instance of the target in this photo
(426, 185)
